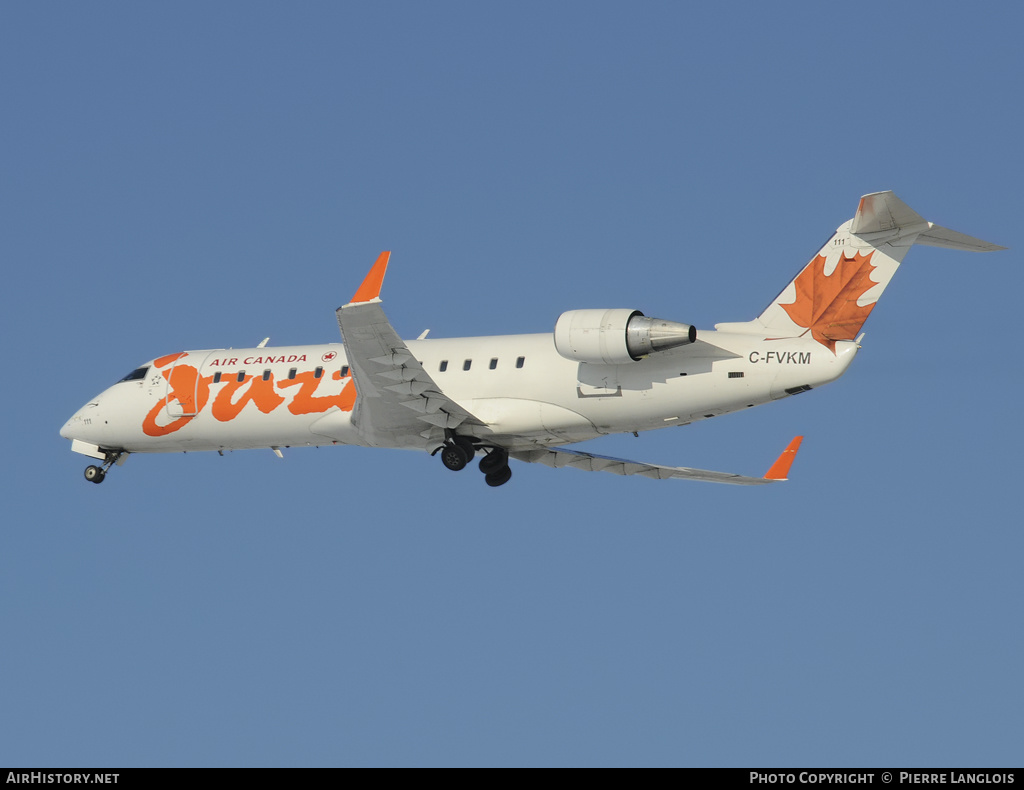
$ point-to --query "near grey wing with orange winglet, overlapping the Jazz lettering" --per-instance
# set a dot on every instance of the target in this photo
(398, 403)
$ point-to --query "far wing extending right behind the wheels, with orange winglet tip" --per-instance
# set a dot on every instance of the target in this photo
(591, 463)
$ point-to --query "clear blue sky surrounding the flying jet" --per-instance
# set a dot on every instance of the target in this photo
(203, 176)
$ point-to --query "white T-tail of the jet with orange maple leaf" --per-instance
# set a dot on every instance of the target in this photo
(833, 296)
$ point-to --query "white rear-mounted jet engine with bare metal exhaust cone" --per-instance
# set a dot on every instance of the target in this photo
(617, 337)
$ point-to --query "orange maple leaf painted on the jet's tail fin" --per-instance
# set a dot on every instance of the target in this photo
(828, 305)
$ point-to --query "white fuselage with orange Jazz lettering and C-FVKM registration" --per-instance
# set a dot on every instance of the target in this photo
(526, 394)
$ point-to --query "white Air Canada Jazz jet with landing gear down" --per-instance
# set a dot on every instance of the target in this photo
(516, 397)
